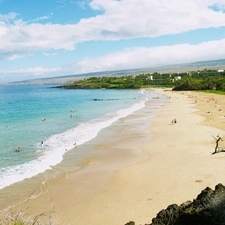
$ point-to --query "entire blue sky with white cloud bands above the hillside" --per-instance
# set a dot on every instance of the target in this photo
(50, 38)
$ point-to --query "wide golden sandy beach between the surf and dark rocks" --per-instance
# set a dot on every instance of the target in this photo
(144, 164)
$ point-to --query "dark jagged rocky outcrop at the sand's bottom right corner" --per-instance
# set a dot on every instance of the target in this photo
(207, 209)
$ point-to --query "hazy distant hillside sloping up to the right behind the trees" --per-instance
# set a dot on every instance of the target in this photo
(169, 69)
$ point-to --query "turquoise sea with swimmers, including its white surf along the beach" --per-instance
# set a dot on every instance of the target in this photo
(30, 115)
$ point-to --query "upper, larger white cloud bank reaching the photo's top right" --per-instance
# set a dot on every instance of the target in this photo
(120, 20)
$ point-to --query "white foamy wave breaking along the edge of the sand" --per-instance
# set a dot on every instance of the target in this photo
(51, 153)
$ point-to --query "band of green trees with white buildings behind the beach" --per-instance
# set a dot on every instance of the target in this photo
(194, 80)
